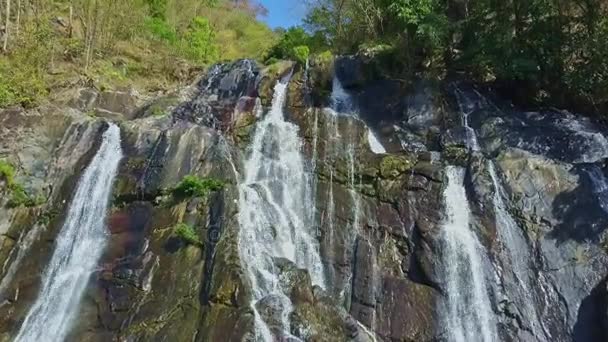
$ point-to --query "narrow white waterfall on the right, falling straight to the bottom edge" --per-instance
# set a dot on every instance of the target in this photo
(467, 311)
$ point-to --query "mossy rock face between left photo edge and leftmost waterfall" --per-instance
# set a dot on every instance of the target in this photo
(48, 147)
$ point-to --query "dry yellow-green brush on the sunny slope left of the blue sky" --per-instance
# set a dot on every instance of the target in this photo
(151, 44)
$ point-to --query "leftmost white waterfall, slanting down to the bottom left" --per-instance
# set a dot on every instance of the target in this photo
(78, 248)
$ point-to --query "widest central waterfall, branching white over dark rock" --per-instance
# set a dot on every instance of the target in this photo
(276, 213)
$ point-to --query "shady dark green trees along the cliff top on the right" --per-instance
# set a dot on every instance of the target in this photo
(550, 51)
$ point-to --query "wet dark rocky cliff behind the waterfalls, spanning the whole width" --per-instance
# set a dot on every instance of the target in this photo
(535, 183)
